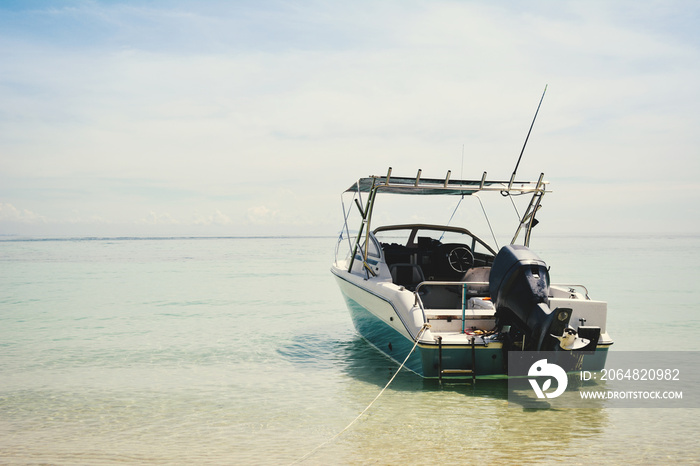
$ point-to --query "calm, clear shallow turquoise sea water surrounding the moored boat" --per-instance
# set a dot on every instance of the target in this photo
(240, 350)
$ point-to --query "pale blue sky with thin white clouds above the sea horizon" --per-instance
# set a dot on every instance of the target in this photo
(247, 118)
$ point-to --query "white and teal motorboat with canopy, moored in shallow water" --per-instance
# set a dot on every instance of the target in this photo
(455, 301)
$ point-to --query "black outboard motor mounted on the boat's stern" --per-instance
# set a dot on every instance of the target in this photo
(519, 286)
